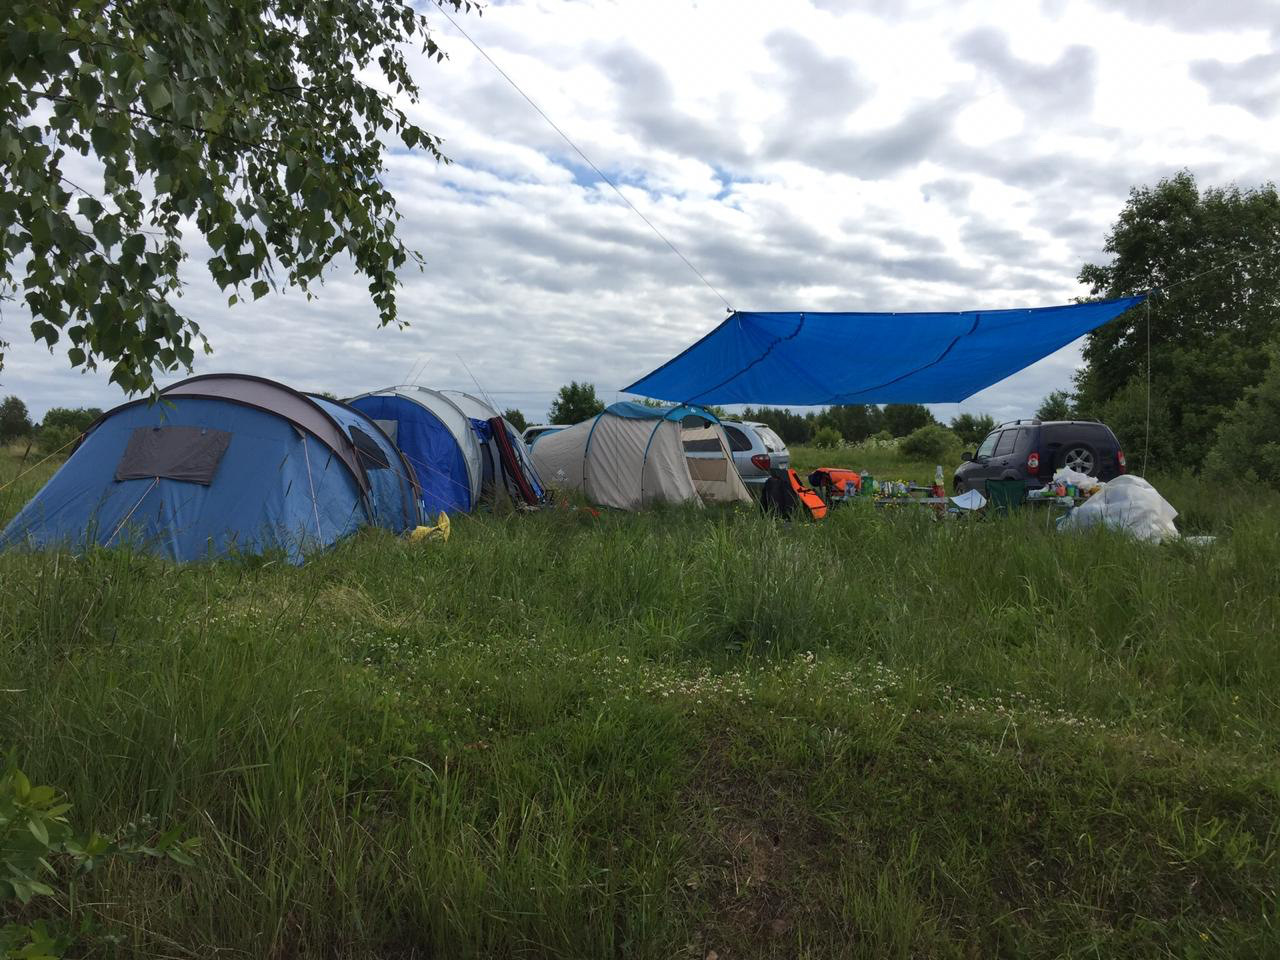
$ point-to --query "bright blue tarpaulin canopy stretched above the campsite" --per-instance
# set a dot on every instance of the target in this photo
(825, 359)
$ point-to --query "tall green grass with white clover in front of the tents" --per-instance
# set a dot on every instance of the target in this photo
(666, 734)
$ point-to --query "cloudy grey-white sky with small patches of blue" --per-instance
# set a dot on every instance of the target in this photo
(822, 156)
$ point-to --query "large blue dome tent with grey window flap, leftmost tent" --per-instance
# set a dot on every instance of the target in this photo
(222, 464)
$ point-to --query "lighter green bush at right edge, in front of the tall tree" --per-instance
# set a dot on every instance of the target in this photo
(1247, 446)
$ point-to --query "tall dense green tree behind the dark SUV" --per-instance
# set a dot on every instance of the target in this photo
(1215, 260)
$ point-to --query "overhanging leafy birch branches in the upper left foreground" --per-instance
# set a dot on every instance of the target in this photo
(260, 124)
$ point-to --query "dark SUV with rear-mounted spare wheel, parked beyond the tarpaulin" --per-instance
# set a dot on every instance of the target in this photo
(1031, 451)
